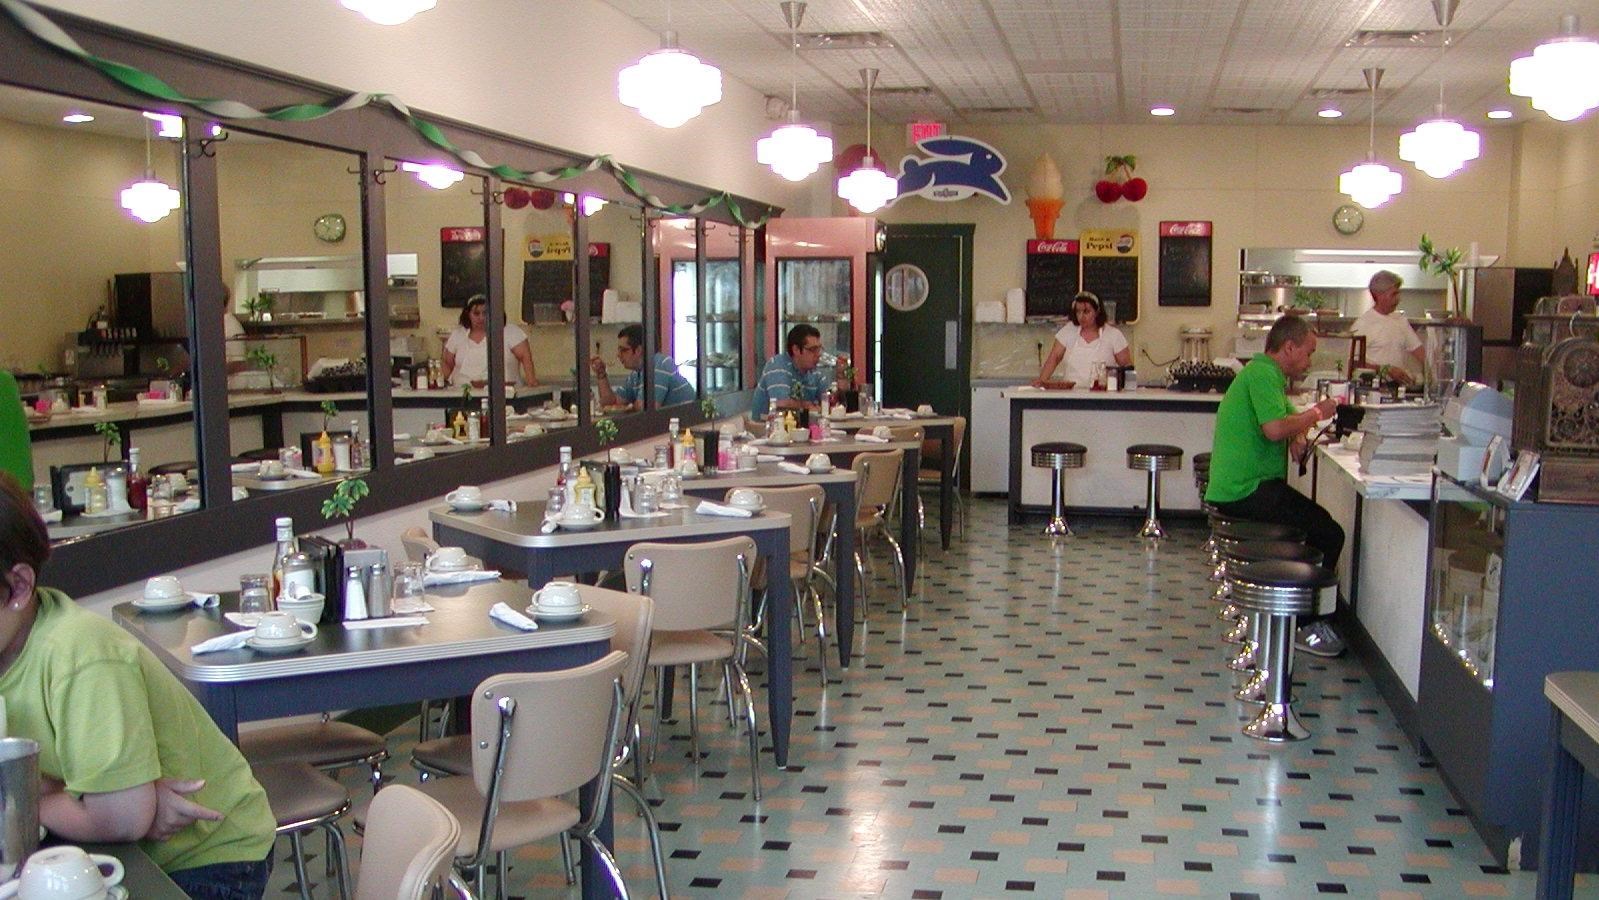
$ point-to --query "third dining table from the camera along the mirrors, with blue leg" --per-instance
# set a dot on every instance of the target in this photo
(839, 485)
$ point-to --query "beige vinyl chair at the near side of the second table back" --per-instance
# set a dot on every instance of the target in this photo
(698, 589)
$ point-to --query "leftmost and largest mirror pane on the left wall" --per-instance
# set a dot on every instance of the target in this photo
(95, 309)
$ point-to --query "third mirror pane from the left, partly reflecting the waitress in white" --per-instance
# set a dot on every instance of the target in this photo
(436, 212)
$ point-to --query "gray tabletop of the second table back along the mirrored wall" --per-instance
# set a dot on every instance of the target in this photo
(524, 528)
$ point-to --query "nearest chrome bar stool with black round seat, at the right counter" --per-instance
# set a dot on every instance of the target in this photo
(1278, 592)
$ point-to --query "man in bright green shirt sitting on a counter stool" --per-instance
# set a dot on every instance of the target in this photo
(1256, 432)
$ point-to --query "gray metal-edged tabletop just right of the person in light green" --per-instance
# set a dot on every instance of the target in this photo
(460, 626)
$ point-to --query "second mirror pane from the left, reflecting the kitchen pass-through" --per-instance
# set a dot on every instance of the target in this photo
(290, 228)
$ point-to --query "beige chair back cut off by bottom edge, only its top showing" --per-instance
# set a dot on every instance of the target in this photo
(409, 846)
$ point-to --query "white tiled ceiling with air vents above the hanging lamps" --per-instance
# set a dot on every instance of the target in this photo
(1107, 62)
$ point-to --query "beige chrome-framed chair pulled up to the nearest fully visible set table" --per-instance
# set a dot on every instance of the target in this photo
(536, 738)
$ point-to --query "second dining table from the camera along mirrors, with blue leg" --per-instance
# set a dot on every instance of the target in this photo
(517, 540)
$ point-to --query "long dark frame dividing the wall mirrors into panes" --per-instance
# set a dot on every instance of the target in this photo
(225, 527)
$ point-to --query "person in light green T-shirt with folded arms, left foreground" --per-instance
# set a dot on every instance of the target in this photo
(121, 739)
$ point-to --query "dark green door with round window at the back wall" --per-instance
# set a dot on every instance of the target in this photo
(925, 319)
